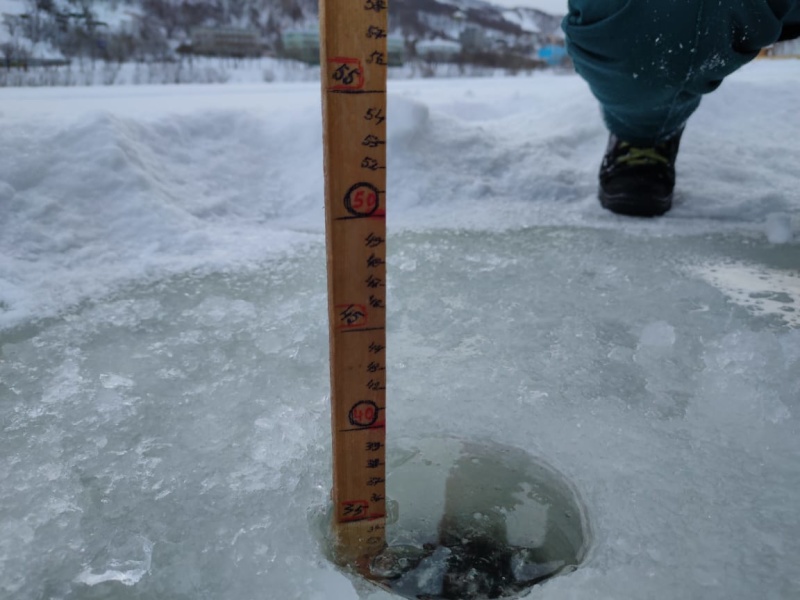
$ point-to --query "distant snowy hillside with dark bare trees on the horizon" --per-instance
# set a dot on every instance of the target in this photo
(137, 29)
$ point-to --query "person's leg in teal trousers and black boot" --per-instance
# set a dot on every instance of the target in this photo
(649, 63)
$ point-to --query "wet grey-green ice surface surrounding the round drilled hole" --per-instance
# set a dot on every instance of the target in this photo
(192, 413)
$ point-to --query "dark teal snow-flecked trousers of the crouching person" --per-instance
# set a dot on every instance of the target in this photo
(649, 62)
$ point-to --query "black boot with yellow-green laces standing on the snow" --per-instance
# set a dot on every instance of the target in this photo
(638, 181)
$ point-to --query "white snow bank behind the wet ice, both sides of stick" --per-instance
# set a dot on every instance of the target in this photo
(106, 185)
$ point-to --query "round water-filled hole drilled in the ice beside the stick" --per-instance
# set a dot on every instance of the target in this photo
(473, 520)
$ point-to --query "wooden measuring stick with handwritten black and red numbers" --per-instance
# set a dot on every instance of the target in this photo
(353, 58)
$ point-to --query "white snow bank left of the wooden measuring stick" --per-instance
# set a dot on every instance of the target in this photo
(109, 197)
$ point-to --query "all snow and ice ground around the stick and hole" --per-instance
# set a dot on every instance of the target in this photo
(163, 353)
